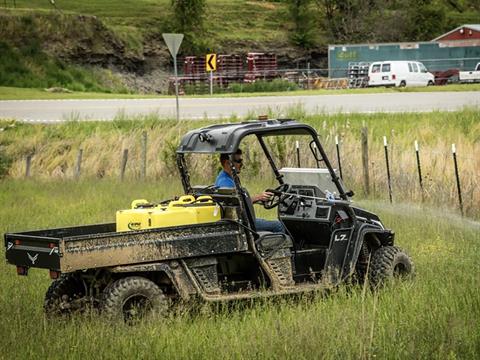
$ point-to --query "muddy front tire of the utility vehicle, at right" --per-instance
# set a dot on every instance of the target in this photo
(389, 262)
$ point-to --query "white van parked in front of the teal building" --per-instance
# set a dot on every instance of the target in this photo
(399, 73)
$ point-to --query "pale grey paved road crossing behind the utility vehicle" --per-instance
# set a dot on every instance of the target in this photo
(195, 108)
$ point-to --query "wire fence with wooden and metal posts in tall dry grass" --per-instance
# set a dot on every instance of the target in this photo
(377, 168)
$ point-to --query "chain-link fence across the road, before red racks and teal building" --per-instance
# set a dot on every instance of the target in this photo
(196, 80)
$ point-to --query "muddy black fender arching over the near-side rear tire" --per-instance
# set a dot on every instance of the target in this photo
(172, 269)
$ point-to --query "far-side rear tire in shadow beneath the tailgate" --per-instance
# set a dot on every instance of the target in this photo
(64, 296)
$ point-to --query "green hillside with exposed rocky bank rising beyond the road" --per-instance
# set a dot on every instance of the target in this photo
(115, 45)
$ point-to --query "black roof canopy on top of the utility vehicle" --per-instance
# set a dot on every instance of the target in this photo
(226, 138)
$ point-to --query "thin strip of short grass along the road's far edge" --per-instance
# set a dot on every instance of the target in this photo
(16, 93)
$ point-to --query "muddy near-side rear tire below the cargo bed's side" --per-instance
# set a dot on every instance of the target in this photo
(133, 298)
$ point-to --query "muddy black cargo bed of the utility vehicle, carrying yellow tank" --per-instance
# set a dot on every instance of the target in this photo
(98, 246)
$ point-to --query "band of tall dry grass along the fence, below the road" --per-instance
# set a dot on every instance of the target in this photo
(55, 150)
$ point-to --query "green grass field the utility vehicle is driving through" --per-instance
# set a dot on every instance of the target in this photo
(433, 316)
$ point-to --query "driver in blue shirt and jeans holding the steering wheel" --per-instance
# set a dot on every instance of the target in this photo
(225, 180)
